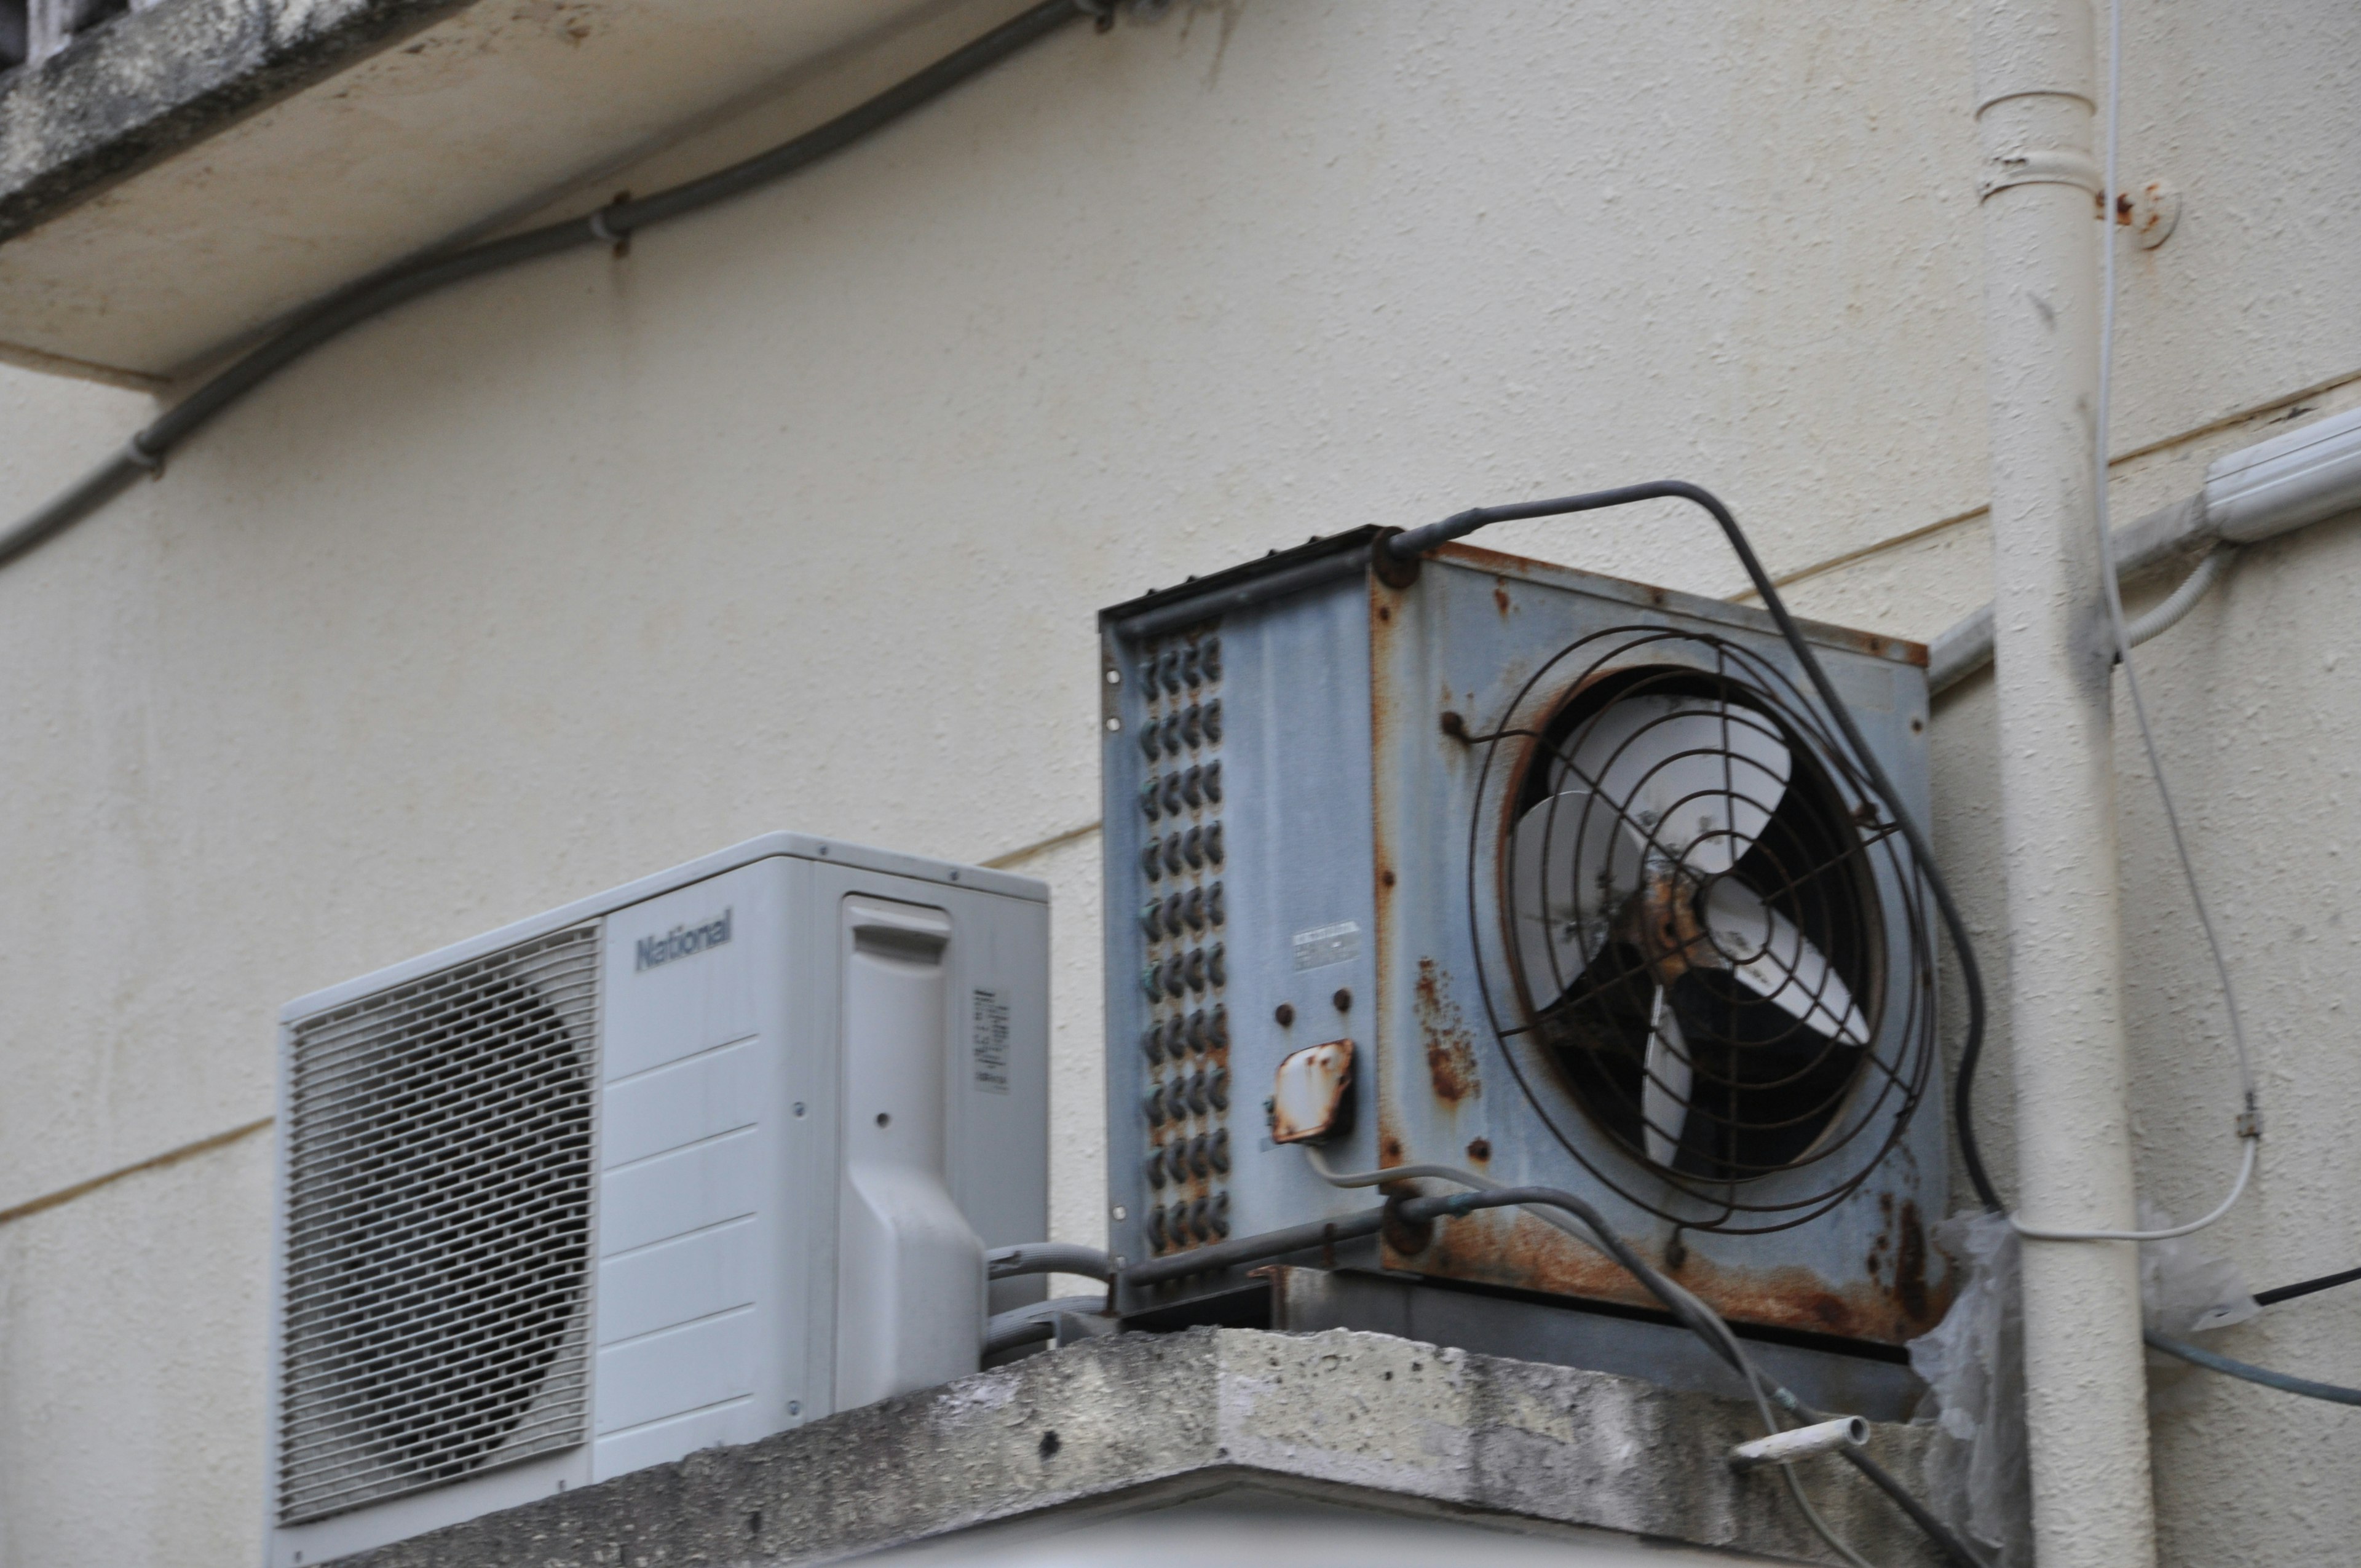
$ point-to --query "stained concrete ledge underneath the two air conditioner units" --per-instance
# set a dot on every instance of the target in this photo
(1142, 1420)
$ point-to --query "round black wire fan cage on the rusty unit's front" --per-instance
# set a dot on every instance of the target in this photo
(1711, 965)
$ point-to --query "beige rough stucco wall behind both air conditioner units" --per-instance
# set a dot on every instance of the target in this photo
(799, 516)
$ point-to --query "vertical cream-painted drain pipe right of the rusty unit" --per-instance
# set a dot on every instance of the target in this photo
(2086, 1378)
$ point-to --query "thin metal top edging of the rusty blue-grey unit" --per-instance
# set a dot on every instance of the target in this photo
(1345, 554)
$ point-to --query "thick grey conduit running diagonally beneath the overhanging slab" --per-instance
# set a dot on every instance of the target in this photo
(148, 450)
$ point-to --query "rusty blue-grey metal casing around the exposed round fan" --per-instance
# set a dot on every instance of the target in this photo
(1295, 754)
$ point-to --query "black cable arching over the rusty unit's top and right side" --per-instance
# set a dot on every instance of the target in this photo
(1415, 542)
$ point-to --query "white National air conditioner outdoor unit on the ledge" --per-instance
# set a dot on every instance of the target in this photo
(679, 1165)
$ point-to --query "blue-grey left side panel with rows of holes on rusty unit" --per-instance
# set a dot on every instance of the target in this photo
(1295, 908)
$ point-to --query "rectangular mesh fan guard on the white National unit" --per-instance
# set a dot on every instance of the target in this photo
(438, 1229)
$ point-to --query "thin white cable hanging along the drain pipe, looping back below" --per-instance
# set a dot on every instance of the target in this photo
(2251, 1121)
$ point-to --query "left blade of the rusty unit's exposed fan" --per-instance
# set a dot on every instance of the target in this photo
(1571, 865)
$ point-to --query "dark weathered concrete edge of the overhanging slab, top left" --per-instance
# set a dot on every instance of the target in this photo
(152, 84)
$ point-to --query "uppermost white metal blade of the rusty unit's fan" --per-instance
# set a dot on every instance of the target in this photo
(1696, 778)
